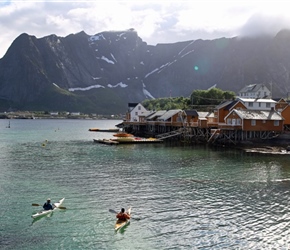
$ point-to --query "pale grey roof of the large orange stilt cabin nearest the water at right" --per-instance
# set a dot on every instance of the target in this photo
(258, 114)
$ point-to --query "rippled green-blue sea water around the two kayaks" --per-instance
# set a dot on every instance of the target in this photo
(182, 196)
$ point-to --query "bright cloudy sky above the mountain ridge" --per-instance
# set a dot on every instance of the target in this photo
(158, 21)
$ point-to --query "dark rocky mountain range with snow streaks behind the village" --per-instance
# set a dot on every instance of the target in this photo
(102, 73)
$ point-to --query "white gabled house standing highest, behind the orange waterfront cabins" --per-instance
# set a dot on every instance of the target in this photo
(254, 91)
